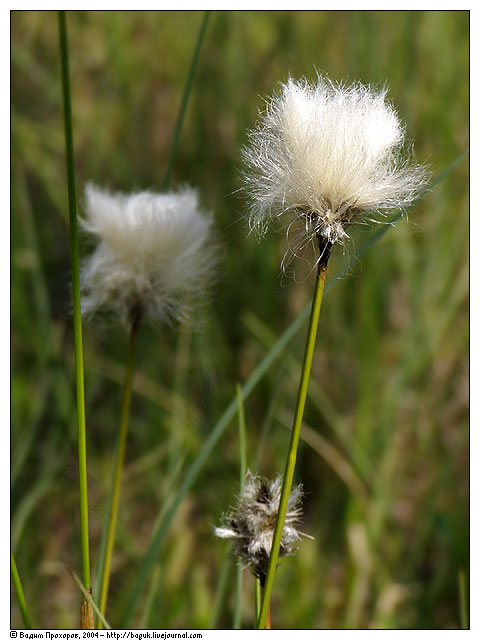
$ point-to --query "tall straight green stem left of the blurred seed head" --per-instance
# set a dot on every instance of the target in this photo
(77, 317)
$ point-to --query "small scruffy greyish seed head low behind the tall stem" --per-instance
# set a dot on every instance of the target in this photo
(251, 524)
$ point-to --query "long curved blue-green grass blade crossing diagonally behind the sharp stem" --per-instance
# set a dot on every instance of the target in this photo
(157, 541)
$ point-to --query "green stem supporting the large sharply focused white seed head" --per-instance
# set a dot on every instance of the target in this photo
(292, 452)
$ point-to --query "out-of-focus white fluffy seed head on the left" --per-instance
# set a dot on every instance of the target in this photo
(154, 254)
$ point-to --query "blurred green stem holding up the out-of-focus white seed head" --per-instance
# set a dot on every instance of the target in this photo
(118, 468)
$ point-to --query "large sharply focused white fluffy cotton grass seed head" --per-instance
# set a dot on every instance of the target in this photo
(329, 154)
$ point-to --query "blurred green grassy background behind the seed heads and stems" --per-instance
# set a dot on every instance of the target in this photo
(385, 468)
